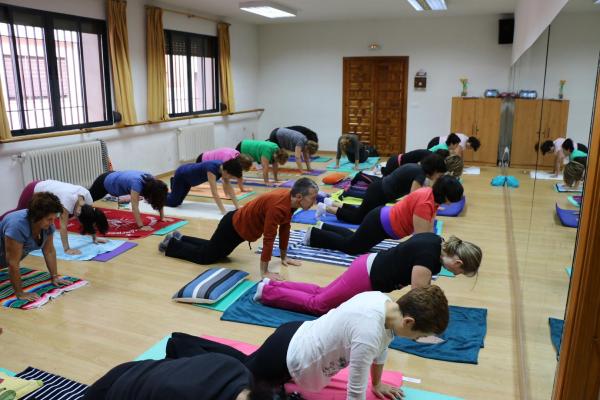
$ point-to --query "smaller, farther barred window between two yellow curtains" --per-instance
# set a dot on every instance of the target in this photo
(191, 62)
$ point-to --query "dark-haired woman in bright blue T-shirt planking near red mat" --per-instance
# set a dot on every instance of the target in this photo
(135, 184)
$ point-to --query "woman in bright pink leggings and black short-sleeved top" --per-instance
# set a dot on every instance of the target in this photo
(412, 262)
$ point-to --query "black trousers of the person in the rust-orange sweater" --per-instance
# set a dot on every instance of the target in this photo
(202, 251)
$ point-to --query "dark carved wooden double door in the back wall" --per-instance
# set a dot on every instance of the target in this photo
(374, 104)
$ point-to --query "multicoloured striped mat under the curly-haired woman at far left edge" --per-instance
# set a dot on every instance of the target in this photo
(34, 281)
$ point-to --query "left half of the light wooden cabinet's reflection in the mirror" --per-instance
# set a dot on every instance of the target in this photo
(526, 131)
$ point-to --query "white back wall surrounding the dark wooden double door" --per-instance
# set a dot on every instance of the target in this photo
(301, 79)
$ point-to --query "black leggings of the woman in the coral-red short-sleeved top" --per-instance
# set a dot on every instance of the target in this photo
(369, 233)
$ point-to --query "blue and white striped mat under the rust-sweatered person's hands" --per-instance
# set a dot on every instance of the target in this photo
(300, 251)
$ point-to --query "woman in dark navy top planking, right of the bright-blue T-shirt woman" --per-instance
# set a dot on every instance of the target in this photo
(190, 175)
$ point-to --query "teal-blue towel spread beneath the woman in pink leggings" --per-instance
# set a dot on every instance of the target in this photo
(464, 336)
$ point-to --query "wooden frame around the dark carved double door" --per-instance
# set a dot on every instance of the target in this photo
(346, 60)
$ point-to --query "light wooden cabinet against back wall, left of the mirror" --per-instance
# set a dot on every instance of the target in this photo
(478, 117)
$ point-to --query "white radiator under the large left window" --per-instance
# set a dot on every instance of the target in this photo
(78, 164)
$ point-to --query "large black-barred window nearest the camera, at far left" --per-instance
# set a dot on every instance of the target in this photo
(54, 71)
